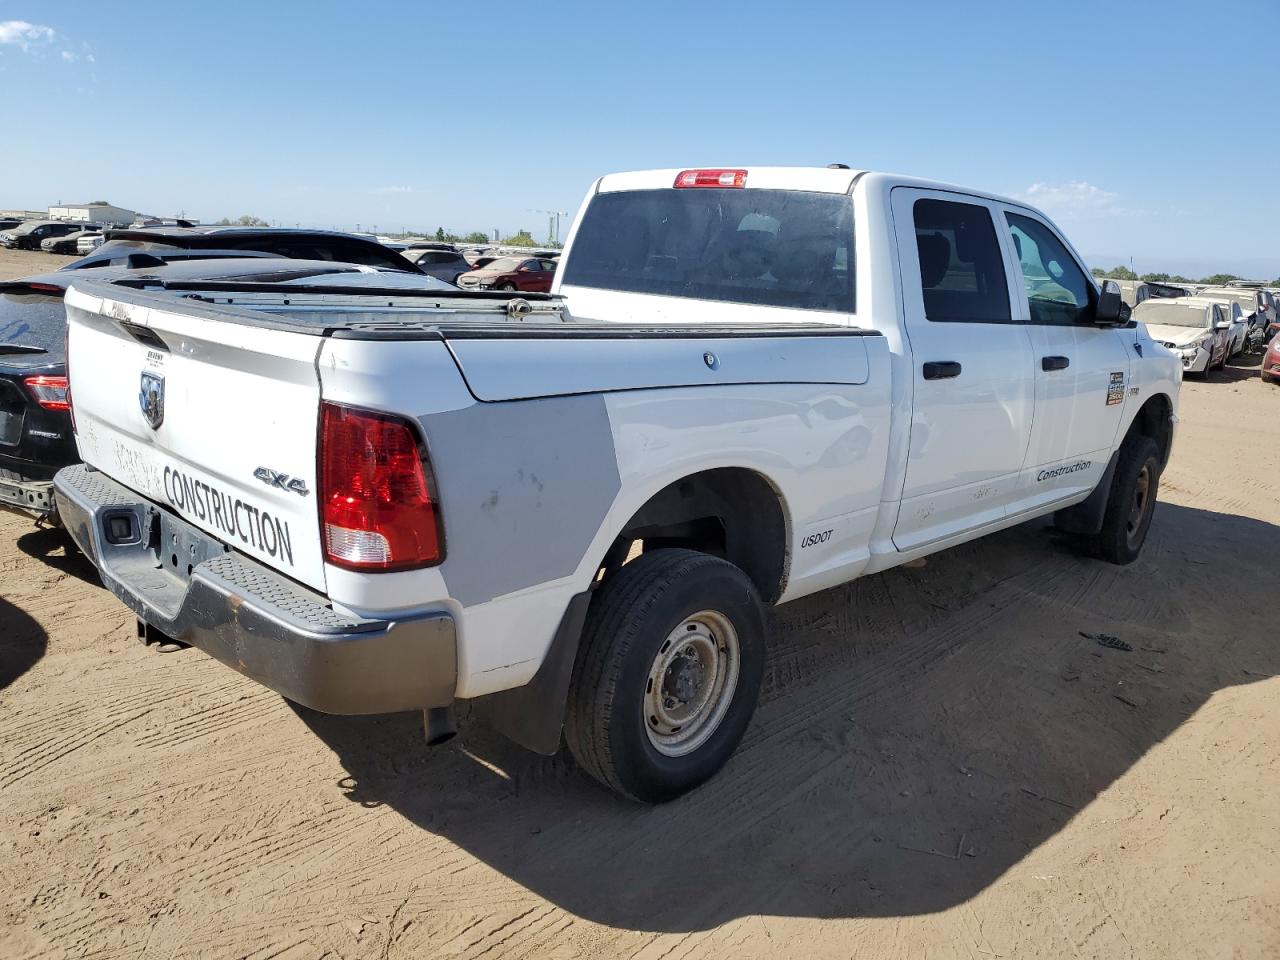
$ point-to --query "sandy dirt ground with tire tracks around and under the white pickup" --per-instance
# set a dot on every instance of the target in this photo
(941, 767)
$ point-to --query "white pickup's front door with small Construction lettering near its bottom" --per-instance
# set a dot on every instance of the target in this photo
(1081, 371)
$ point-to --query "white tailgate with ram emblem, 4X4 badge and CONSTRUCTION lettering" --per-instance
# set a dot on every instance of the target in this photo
(214, 420)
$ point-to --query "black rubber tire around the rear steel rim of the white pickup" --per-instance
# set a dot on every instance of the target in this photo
(629, 625)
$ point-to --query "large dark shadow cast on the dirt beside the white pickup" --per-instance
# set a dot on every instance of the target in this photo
(920, 733)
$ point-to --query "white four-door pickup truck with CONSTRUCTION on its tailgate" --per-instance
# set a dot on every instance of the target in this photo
(570, 510)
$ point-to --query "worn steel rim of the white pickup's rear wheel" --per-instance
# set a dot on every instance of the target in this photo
(692, 683)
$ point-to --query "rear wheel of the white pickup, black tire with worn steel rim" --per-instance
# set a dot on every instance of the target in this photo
(668, 675)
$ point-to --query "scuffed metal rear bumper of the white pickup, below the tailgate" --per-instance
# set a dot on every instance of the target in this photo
(252, 619)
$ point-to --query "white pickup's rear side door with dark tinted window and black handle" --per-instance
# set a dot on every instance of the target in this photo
(975, 391)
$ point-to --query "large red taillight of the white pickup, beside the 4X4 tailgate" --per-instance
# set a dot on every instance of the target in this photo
(378, 510)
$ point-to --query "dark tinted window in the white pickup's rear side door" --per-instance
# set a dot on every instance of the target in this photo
(962, 269)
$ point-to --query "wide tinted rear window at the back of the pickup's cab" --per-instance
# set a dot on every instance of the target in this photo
(771, 248)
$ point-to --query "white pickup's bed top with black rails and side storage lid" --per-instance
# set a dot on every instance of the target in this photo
(511, 348)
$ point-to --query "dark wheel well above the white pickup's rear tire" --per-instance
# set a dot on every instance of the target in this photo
(730, 513)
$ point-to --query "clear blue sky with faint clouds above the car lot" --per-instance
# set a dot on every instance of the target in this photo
(1148, 130)
